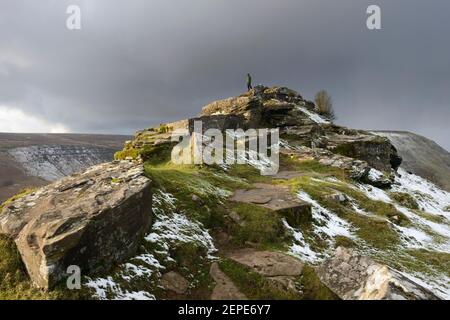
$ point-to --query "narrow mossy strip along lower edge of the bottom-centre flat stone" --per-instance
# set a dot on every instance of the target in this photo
(252, 284)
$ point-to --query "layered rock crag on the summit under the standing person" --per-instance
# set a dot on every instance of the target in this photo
(280, 107)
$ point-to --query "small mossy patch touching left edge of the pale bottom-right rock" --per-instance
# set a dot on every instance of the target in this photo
(312, 287)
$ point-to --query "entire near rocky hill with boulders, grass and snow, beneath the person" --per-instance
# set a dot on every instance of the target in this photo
(341, 219)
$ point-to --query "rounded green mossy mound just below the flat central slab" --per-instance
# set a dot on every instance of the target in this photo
(260, 226)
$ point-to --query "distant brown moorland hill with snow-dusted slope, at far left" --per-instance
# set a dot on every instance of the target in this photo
(28, 160)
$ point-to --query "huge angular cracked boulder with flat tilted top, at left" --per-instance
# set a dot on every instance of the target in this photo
(93, 220)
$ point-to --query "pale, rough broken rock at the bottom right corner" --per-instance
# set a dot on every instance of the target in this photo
(355, 277)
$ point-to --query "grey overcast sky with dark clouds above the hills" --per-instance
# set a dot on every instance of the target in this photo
(138, 63)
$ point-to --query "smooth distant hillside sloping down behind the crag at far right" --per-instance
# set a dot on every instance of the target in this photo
(422, 156)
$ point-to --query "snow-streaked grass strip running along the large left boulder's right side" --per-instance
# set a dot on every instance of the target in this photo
(169, 230)
